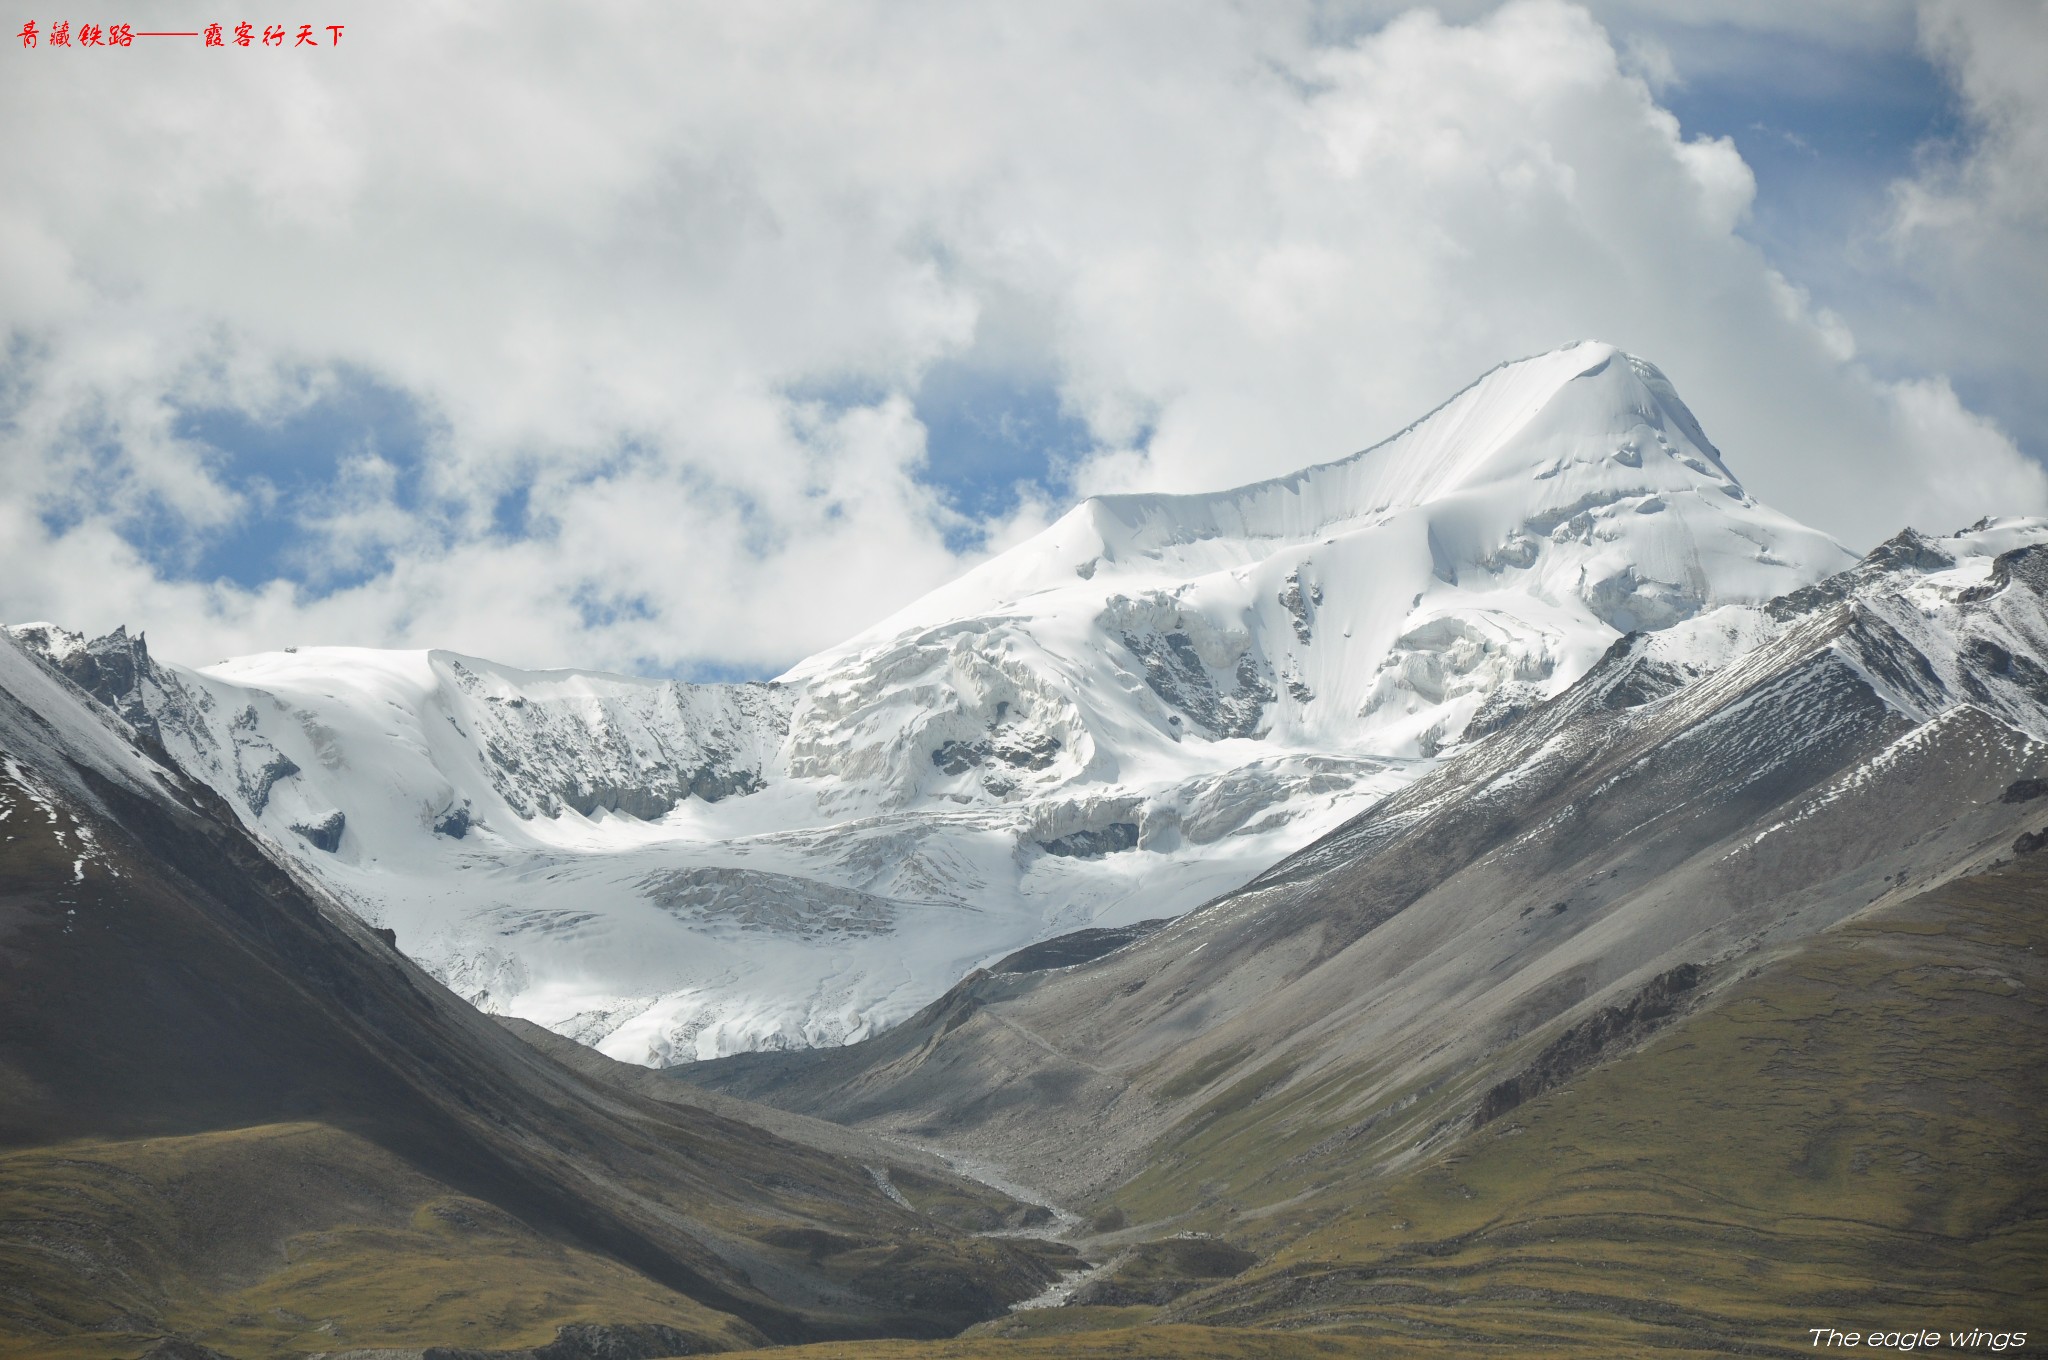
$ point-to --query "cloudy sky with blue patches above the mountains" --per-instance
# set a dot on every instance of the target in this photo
(691, 339)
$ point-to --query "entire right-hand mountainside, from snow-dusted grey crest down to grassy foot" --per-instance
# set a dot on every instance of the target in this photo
(1785, 847)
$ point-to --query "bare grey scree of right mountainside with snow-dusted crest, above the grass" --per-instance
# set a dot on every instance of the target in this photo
(1697, 810)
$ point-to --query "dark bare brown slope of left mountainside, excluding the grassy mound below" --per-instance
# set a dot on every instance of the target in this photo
(163, 978)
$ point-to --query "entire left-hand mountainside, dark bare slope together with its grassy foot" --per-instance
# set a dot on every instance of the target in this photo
(237, 1117)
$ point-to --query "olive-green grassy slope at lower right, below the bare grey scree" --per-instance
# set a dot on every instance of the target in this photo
(1850, 1138)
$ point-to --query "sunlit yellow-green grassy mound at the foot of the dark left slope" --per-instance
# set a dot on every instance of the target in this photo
(282, 1240)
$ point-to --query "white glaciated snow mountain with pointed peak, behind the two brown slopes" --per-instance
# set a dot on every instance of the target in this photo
(1138, 710)
